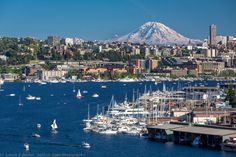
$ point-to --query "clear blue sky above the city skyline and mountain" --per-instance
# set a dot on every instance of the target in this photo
(102, 19)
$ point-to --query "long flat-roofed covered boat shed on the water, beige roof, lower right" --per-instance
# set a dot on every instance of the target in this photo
(184, 133)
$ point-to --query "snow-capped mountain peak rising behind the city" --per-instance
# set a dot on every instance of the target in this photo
(155, 33)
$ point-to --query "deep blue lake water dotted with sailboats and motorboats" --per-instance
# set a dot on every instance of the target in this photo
(18, 123)
